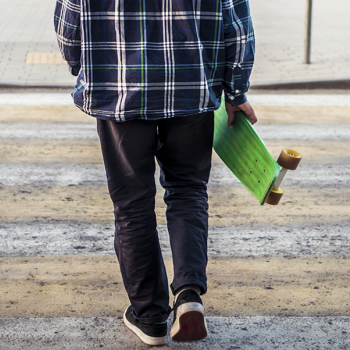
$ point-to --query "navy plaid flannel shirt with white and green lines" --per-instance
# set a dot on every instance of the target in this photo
(155, 59)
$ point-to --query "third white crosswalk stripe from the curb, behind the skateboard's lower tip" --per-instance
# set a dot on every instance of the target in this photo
(94, 174)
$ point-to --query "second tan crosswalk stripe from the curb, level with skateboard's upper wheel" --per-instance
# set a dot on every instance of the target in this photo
(77, 151)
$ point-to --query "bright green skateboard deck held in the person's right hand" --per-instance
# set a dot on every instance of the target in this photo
(244, 153)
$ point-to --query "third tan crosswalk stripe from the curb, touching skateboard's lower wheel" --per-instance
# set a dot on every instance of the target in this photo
(228, 205)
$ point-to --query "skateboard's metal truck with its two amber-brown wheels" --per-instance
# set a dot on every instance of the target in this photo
(288, 160)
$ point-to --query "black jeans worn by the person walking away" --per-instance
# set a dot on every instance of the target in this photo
(183, 148)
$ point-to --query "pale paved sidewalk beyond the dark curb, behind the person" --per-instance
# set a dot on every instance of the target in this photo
(27, 27)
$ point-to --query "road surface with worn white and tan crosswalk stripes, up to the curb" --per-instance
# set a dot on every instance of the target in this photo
(279, 277)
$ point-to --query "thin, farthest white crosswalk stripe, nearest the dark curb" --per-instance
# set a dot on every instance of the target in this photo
(64, 99)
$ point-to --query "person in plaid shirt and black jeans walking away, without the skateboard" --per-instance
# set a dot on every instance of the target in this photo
(152, 73)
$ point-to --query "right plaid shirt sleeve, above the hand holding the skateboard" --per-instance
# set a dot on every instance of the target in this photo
(239, 50)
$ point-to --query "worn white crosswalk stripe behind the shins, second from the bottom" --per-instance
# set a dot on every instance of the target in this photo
(70, 238)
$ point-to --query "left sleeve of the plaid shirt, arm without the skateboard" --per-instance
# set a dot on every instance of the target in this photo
(67, 27)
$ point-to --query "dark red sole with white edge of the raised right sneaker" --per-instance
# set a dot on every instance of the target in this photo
(190, 323)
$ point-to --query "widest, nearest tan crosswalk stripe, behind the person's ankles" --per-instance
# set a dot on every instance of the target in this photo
(91, 285)
